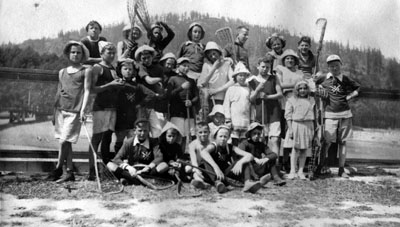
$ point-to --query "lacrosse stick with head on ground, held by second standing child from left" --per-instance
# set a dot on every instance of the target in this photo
(107, 174)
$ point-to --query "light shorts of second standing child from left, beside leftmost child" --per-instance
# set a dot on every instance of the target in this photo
(104, 120)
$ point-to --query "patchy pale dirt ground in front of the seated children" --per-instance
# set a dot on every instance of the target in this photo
(369, 198)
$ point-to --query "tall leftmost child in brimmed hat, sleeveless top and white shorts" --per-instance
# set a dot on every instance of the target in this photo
(71, 102)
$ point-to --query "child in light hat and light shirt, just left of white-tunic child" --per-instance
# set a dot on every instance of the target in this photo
(216, 75)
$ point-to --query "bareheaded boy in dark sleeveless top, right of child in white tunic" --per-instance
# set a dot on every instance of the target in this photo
(269, 90)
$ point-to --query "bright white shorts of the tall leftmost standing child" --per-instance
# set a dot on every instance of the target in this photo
(67, 126)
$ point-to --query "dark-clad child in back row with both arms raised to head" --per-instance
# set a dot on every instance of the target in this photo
(157, 41)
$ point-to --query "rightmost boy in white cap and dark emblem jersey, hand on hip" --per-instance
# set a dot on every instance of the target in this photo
(338, 116)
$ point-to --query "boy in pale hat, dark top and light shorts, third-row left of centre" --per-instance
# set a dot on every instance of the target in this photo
(151, 76)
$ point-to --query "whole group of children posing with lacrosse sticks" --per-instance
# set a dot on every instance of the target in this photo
(200, 114)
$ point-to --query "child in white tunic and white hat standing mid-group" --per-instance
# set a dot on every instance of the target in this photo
(237, 106)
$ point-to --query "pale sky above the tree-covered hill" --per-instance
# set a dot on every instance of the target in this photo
(362, 23)
